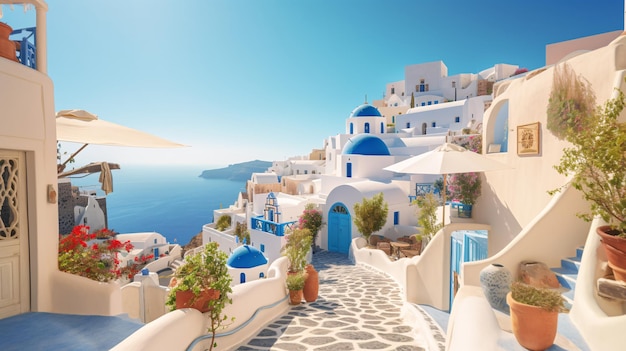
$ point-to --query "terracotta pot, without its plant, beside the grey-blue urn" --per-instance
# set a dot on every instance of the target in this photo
(533, 327)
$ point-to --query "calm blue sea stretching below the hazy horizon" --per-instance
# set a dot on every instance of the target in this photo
(171, 200)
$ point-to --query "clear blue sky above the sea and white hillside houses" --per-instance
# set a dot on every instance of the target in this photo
(239, 80)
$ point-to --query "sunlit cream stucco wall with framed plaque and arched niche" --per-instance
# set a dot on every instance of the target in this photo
(517, 195)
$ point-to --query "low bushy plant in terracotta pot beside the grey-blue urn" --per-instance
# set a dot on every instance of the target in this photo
(534, 314)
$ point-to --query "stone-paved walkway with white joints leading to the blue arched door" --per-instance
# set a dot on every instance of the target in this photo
(357, 309)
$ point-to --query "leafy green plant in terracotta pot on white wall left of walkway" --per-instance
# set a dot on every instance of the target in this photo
(203, 282)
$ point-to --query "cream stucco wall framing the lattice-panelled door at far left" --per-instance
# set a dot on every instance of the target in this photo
(28, 124)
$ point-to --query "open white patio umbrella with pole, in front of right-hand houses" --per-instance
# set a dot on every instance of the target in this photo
(446, 159)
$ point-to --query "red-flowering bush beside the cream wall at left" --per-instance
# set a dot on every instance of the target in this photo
(95, 256)
